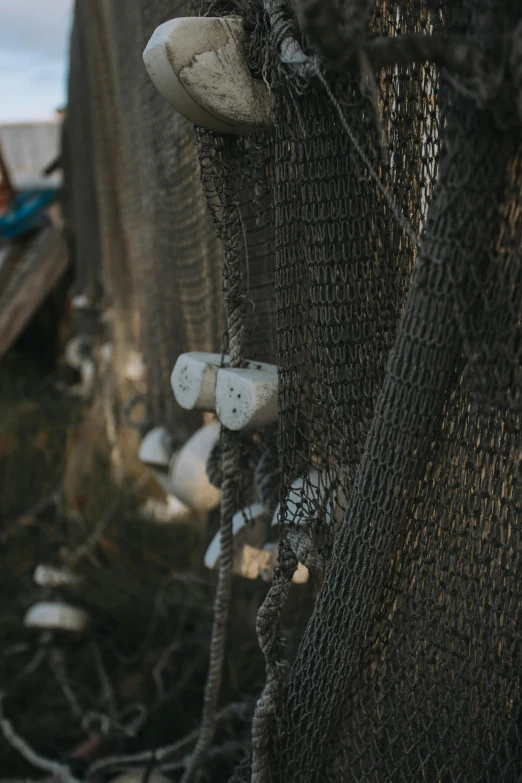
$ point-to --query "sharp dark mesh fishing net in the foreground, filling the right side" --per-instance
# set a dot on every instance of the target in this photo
(399, 386)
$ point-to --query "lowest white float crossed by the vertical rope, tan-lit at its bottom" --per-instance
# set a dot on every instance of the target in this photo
(250, 531)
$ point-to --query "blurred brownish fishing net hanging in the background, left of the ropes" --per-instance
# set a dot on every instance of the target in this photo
(160, 259)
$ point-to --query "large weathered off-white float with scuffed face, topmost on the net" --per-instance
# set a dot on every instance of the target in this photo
(199, 65)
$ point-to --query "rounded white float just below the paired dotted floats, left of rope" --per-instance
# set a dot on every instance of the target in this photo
(188, 470)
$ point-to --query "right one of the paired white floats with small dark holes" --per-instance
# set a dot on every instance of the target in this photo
(246, 397)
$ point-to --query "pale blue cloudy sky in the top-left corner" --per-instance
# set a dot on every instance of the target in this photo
(34, 41)
